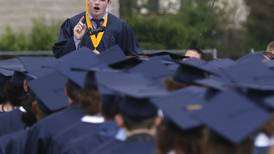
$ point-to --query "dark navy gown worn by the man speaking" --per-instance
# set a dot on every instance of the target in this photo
(117, 32)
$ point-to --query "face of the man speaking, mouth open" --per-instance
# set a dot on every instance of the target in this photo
(98, 8)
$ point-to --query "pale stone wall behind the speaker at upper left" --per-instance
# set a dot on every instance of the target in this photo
(19, 13)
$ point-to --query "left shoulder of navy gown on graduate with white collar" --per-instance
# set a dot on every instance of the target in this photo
(40, 135)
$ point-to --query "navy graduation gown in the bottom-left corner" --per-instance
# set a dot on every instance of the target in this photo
(13, 143)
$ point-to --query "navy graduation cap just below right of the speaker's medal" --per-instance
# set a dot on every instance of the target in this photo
(112, 55)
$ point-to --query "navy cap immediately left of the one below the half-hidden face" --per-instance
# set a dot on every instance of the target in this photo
(152, 68)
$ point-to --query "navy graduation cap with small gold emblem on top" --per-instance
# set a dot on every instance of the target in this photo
(179, 107)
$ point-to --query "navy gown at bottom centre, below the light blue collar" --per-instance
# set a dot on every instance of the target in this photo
(136, 144)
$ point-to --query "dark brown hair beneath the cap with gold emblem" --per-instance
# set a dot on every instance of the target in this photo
(170, 137)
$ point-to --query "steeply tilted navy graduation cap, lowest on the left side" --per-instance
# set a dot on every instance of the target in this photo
(49, 91)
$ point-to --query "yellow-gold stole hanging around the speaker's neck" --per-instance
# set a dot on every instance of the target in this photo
(95, 40)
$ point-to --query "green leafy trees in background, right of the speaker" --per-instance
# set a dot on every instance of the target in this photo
(192, 26)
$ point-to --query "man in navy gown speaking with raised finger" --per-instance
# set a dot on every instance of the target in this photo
(96, 29)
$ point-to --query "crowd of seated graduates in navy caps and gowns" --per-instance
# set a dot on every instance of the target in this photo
(162, 103)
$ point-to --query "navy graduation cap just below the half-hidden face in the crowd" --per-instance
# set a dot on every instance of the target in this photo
(190, 70)
